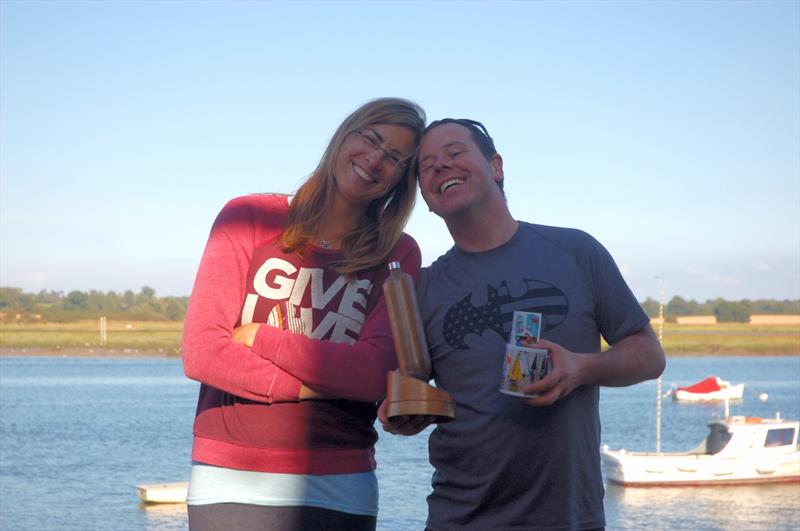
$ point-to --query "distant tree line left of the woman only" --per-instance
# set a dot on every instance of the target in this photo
(76, 305)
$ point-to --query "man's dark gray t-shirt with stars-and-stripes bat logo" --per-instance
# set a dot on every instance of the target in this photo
(502, 464)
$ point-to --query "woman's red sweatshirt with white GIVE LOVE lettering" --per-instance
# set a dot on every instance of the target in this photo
(249, 415)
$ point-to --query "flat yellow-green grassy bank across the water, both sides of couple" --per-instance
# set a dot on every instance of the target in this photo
(165, 337)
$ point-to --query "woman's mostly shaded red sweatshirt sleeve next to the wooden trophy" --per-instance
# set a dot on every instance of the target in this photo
(354, 372)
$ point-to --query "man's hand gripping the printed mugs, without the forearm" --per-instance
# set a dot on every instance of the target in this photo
(566, 374)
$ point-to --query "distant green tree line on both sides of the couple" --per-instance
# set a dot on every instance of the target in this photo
(145, 306)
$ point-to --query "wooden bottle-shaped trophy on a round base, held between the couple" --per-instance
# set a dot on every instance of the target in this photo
(407, 389)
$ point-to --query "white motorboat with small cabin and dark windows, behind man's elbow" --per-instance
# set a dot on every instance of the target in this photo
(738, 450)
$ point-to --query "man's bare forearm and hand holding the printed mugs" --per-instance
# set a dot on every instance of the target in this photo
(635, 358)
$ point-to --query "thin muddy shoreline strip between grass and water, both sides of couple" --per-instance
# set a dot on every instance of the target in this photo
(89, 352)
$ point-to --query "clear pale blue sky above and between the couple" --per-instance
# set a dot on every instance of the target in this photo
(670, 131)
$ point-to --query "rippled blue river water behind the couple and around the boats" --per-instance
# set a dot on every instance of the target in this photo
(78, 434)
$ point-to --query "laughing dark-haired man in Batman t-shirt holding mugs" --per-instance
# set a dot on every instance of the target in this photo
(510, 463)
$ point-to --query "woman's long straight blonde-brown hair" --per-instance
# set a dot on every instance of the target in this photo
(369, 244)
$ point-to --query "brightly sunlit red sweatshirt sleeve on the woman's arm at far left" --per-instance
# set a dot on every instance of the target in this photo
(210, 355)
